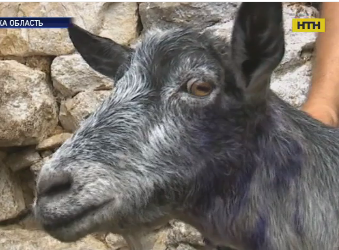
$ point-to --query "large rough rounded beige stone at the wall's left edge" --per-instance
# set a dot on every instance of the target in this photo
(28, 110)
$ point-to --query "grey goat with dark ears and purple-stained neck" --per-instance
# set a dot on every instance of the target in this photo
(193, 132)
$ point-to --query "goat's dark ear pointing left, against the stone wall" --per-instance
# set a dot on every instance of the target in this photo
(102, 54)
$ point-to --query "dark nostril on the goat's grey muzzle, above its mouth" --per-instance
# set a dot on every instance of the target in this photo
(61, 182)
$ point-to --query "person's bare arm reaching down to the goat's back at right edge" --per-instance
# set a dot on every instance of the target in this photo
(323, 99)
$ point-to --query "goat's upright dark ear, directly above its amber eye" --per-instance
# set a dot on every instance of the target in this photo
(258, 46)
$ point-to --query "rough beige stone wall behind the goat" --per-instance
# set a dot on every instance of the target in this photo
(46, 89)
